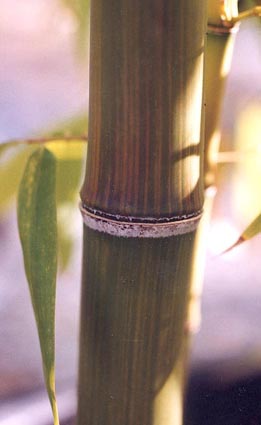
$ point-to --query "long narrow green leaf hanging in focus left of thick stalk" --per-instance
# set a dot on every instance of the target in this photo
(38, 234)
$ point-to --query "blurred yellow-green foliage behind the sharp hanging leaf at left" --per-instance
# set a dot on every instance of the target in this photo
(66, 142)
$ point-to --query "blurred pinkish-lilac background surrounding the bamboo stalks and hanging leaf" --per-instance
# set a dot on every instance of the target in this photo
(44, 88)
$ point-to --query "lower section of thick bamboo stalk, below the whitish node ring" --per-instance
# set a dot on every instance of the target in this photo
(133, 320)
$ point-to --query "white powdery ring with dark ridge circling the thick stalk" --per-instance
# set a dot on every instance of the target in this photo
(136, 229)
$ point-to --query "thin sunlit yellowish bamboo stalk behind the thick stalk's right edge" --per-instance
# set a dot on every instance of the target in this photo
(220, 42)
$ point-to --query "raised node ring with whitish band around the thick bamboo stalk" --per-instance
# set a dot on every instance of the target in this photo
(139, 227)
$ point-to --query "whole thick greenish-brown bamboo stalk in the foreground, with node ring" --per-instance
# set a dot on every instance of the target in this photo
(141, 202)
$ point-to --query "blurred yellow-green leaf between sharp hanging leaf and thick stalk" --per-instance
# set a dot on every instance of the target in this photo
(70, 161)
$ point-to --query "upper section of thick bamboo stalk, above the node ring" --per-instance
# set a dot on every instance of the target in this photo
(146, 77)
